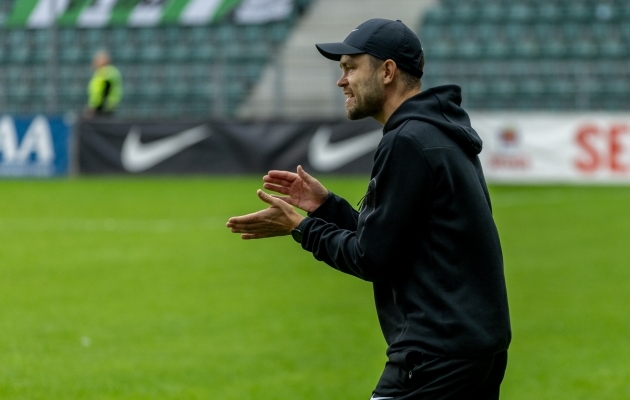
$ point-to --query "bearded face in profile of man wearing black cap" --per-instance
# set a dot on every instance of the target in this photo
(365, 95)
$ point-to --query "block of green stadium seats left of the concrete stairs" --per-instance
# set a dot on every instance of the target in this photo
(190, 62)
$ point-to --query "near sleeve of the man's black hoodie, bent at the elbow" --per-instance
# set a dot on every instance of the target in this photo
(390, 221)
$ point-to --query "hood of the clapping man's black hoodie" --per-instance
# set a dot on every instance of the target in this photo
(441, 107)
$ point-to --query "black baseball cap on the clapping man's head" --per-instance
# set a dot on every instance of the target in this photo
(382, 38)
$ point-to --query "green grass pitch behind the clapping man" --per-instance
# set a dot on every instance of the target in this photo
(133, 289)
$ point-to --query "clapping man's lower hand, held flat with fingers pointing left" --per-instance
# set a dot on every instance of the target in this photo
(277, 220)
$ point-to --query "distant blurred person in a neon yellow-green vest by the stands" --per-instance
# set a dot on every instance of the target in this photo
(105, 88)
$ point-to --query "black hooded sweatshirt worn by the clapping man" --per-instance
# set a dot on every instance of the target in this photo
(424, 235)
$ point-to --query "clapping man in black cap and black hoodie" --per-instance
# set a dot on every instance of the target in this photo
(424, 235)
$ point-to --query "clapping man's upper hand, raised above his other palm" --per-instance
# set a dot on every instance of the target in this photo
(301, 190)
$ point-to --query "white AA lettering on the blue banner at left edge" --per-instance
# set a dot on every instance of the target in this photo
(34, 154)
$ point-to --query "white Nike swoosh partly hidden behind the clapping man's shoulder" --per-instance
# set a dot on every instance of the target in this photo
(325, 156)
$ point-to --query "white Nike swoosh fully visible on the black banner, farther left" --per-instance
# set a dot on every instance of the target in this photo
(137, 156)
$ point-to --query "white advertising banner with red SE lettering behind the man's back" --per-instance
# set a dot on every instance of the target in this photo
(554, 147)
